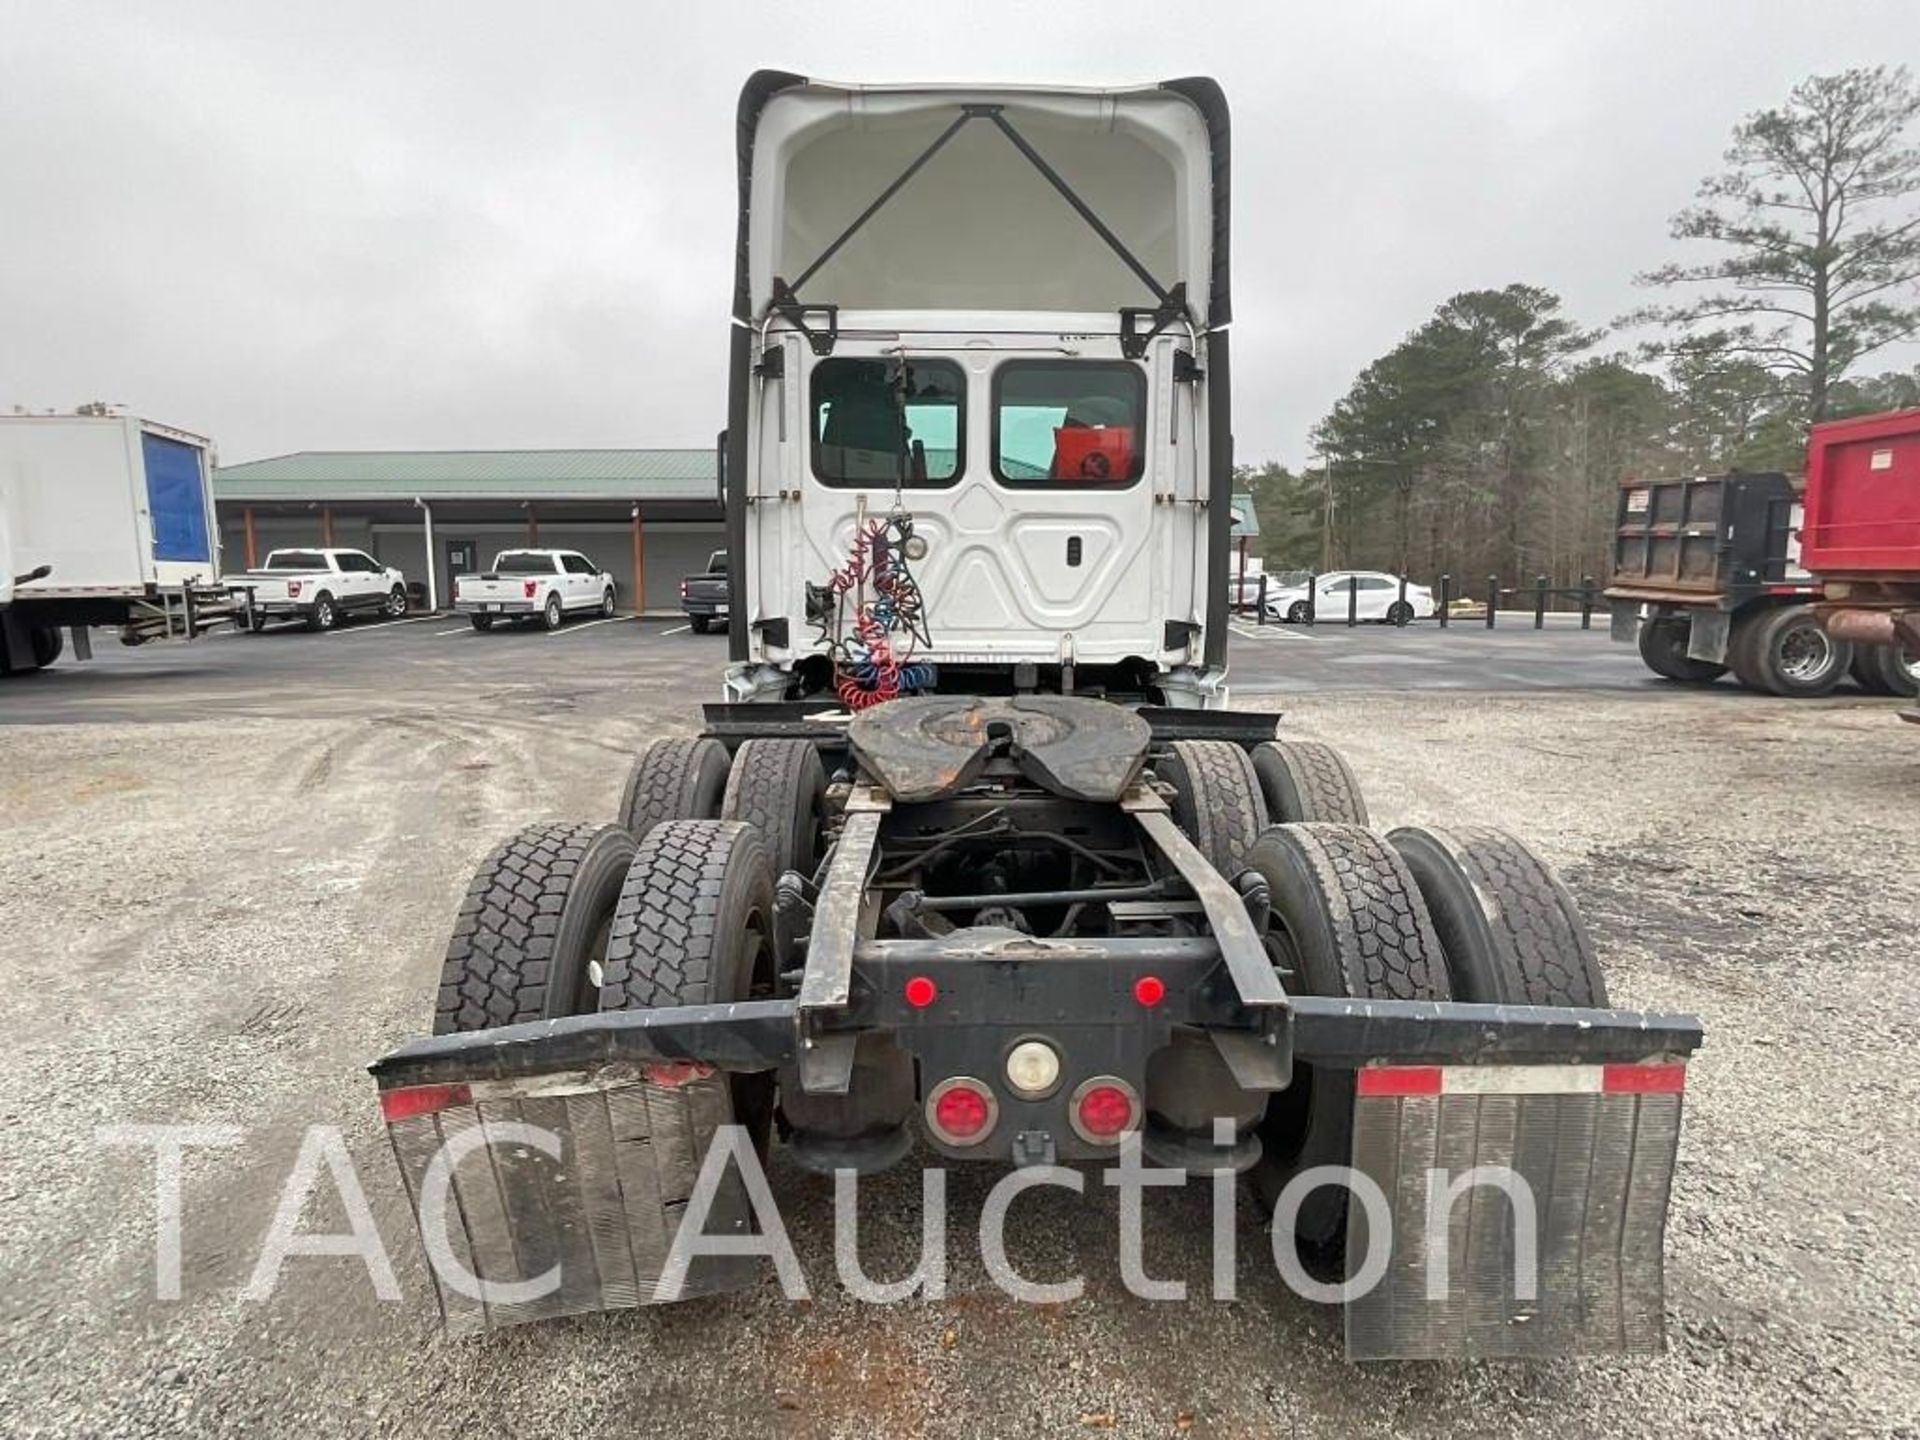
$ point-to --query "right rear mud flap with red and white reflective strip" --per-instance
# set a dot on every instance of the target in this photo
(1470, 1272)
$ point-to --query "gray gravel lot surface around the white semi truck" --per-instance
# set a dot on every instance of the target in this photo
(222, 923)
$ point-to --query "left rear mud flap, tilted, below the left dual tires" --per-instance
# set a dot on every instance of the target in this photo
(535, 1207)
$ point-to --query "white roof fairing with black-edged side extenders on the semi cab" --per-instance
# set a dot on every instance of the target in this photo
(951, 208)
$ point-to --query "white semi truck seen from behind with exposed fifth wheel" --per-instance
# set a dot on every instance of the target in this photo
(974, 865)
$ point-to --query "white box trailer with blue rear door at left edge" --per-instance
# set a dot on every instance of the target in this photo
(105, 521)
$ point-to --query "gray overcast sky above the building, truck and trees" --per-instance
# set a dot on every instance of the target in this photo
(491, 226)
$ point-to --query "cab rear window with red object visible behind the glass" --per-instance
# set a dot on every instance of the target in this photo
(1070, 425)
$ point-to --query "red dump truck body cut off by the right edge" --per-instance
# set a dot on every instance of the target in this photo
(1861, 531)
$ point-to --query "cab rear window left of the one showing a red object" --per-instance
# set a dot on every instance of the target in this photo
(888, 421)
